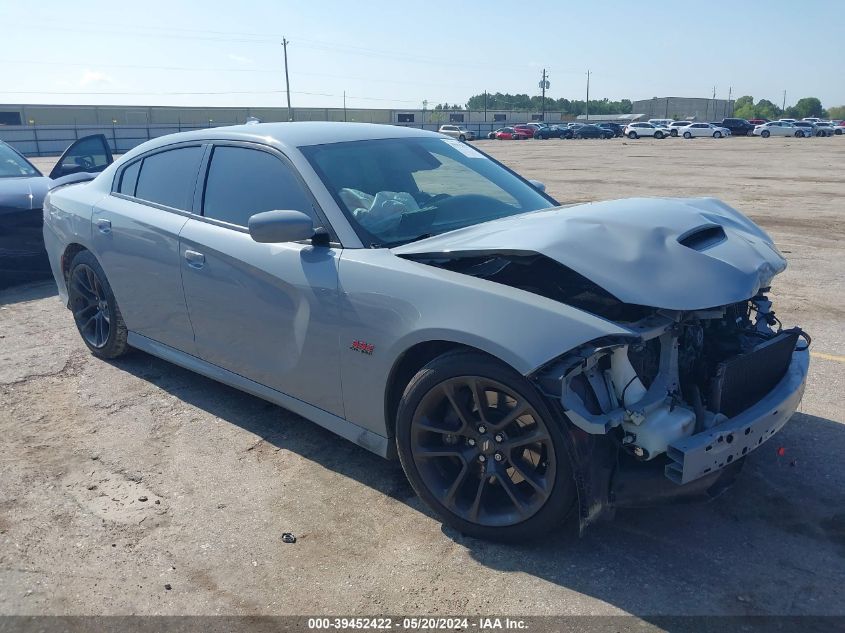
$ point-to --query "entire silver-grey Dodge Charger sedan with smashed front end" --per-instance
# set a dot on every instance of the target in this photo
(525, 361)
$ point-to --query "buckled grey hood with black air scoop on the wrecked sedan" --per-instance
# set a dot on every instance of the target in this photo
(672, 253)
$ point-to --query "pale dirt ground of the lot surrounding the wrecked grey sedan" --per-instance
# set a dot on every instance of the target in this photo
(120, 479)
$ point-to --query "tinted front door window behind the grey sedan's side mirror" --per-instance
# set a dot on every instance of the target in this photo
(242, 182)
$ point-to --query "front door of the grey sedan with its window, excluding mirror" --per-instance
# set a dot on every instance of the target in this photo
(267, 312)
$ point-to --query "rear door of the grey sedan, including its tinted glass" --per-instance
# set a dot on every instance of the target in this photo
(136, 239)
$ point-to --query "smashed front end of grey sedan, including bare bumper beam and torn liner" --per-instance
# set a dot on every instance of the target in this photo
(678, 404)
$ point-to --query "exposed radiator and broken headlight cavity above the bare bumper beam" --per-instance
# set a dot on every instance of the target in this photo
(681, 374)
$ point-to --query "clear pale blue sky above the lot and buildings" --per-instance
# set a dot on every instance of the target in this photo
(396, 54)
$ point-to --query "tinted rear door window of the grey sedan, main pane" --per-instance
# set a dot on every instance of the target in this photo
(168, 178)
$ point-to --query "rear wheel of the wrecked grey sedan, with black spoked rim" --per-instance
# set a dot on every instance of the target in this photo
(95, 310)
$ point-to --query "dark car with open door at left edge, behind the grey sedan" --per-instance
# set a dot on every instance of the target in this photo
(22, 191)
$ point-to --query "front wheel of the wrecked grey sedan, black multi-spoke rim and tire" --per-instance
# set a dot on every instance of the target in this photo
(482, 448)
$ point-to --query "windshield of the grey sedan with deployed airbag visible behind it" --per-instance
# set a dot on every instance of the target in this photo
(398, 190)
